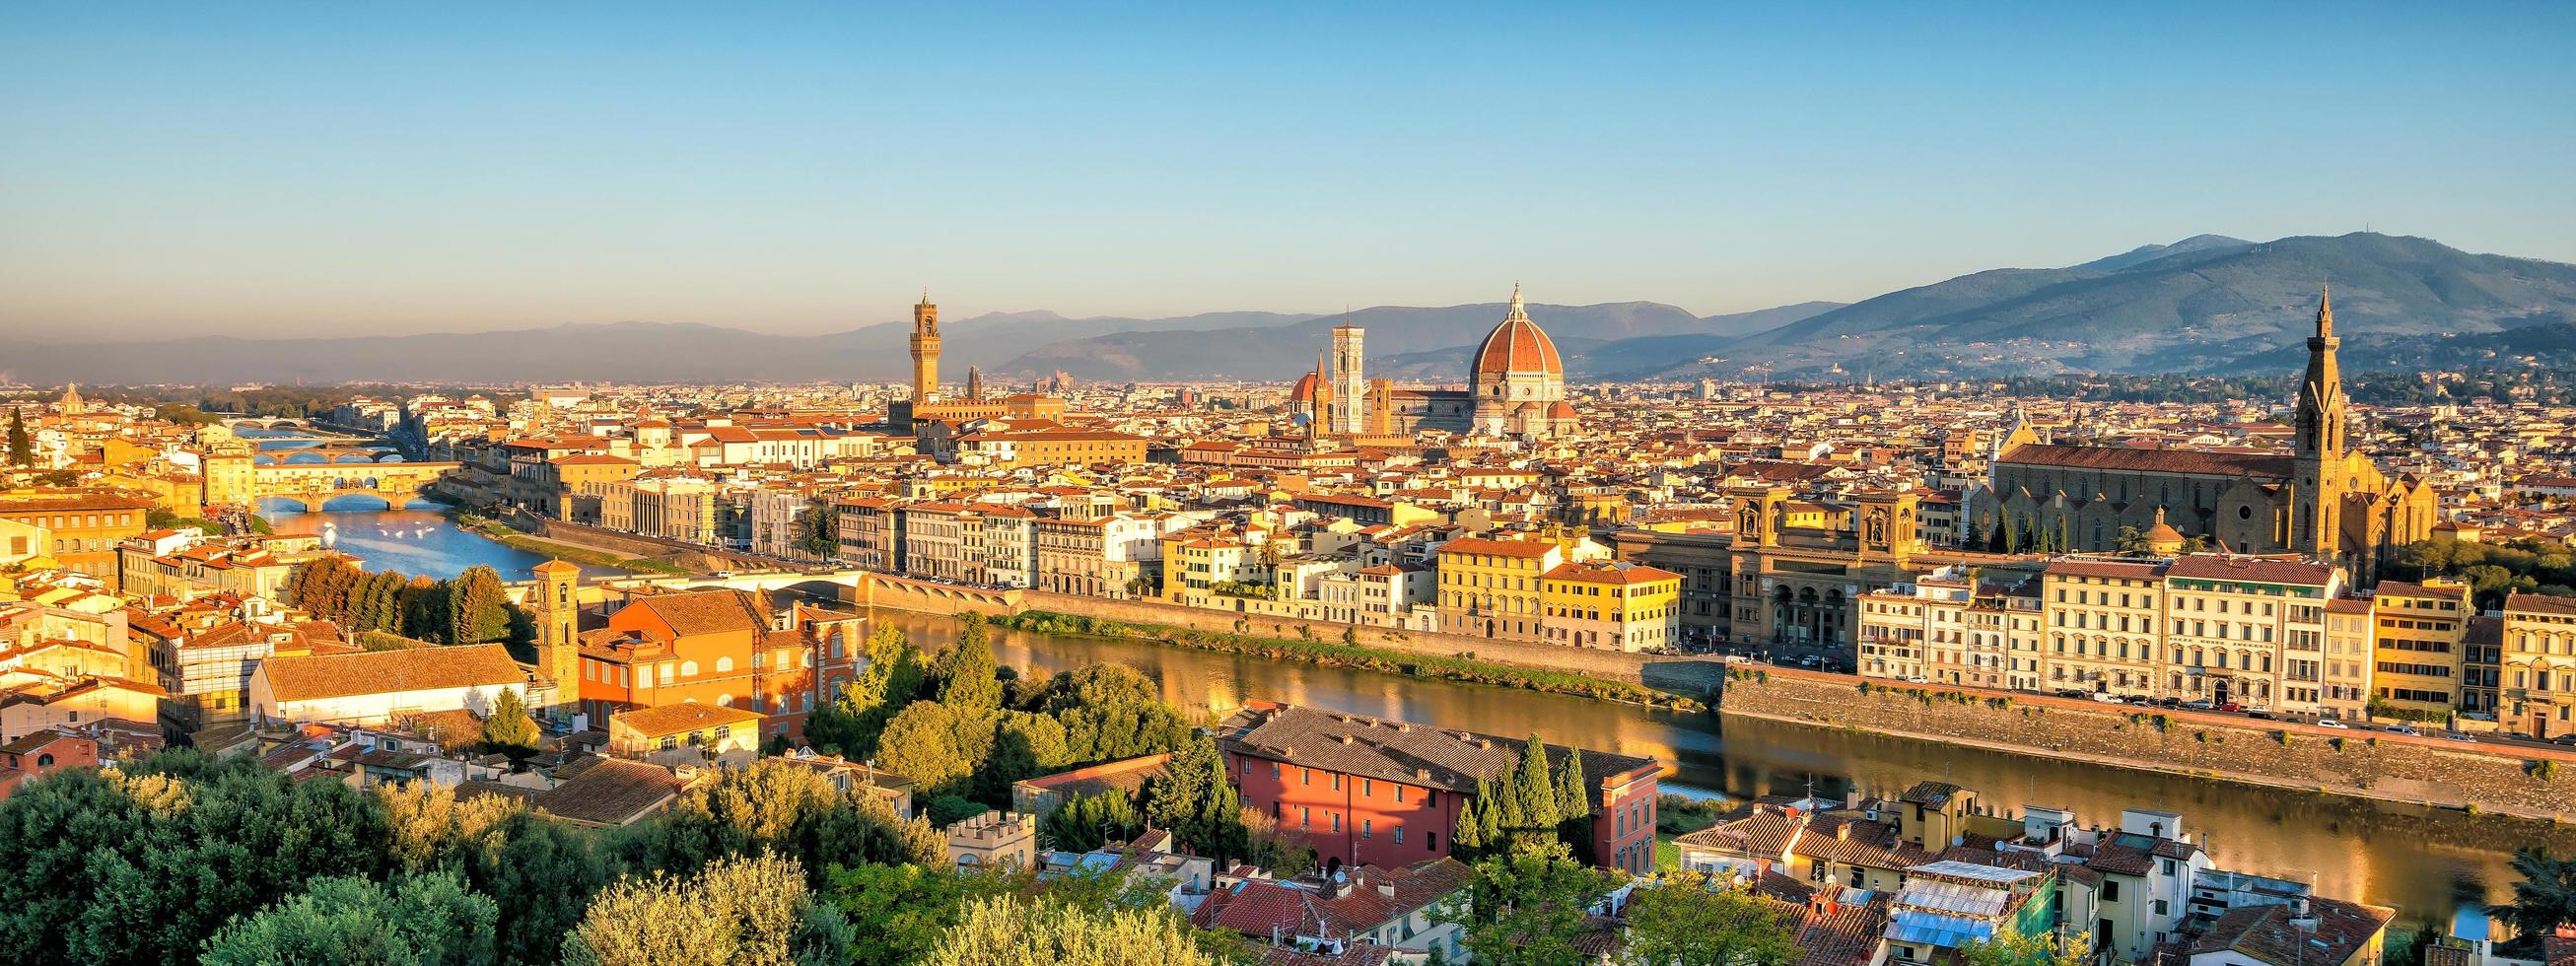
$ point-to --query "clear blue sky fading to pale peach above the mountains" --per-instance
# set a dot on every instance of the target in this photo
(802, 169)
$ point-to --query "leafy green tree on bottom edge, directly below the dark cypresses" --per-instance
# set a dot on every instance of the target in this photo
(1529, 908)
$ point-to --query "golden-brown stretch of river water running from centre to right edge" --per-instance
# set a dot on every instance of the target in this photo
(2415, 859)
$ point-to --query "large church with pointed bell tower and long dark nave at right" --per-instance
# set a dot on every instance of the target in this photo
(2322, 501)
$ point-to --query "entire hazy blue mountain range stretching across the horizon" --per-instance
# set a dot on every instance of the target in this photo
(2206, 305)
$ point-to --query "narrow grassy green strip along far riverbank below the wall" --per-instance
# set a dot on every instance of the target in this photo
(1351, 656)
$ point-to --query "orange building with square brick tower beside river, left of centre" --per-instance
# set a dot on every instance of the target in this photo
(710, 648)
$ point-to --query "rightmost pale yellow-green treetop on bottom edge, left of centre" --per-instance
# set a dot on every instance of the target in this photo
(1011, 931)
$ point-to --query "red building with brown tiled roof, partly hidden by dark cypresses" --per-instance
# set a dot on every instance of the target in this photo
(1372, 792)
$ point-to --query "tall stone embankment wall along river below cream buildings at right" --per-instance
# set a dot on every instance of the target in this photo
(2211, 746)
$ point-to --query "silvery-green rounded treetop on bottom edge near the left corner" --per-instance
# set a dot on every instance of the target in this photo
(416, 921)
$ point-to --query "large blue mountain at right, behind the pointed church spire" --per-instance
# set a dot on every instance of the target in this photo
(2199, 305)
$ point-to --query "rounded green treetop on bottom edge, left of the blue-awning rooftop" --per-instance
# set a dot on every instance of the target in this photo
(1696, 921)
